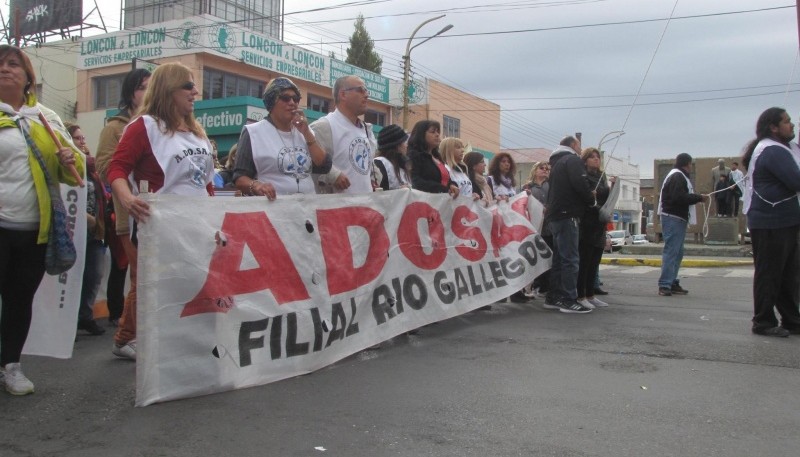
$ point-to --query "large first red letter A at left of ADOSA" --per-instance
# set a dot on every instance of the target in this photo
(276, 271)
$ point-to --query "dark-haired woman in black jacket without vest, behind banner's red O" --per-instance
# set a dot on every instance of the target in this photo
(428, 172)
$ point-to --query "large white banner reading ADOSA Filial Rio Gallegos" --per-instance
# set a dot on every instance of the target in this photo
(237, 292)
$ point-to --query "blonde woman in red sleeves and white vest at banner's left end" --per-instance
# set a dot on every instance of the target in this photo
(169, 149)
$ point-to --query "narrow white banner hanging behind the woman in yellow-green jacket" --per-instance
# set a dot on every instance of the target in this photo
(55, 306)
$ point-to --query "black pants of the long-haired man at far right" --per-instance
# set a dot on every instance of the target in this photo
(776, 281)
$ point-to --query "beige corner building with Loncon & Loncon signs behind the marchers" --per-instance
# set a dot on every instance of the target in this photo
(82, 77)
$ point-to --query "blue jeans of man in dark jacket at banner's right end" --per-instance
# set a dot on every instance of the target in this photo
(566, 260)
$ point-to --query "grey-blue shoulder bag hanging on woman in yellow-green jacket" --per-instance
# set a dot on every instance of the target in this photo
(60, 254)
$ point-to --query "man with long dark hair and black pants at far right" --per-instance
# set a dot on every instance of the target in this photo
(772, 206)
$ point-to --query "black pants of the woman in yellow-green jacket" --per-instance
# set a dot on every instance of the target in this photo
(21, 271)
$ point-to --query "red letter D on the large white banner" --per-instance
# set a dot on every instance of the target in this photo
(343, 275)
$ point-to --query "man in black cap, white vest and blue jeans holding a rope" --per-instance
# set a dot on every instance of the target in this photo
(676, 210)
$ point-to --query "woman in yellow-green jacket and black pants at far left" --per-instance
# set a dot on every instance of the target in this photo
(25, 207)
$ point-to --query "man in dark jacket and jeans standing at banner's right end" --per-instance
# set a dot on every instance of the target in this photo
(567, 201)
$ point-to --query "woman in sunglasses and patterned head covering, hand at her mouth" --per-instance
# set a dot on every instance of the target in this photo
(274, 156)
